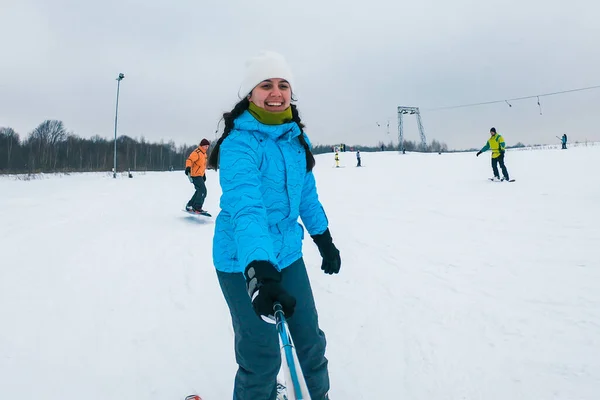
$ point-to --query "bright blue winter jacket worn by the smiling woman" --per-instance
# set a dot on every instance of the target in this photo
(265, 189)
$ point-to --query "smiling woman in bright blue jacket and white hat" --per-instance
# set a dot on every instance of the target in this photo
(266, 177)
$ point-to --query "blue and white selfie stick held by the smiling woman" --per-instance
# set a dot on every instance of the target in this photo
(292, 369)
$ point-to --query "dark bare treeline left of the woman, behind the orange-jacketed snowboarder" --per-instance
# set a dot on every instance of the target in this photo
(51, 148)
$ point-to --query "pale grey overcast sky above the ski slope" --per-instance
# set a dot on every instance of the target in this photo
(354, 62)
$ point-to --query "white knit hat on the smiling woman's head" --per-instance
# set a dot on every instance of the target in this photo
(265, 65)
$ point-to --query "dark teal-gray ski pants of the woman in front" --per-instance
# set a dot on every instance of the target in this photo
(257, 348)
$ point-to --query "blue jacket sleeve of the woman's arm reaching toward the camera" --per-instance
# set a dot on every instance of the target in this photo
(242, 199)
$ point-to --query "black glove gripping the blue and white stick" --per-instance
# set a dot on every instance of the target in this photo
(263, 283)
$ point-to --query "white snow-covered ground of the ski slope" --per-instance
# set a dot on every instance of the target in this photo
(452, 286)
